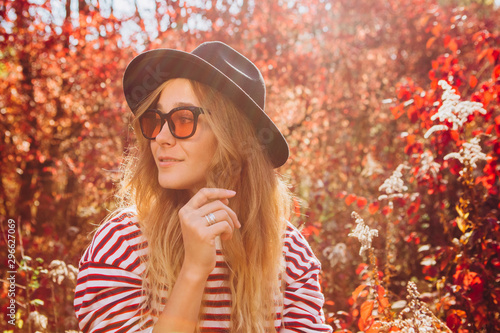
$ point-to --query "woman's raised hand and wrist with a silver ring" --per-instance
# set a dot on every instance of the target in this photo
(199, 232)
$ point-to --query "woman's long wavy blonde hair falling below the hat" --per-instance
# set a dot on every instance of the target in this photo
(254, 254)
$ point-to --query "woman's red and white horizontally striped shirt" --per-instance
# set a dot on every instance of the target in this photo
(109, 297)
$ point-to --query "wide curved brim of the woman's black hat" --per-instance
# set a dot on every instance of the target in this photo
(149, 69)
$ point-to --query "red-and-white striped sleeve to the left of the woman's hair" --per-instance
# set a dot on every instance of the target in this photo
(108, 295)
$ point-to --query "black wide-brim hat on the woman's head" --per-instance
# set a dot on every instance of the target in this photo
(219, 66)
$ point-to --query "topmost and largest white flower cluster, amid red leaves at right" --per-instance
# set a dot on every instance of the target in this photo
(453, 110)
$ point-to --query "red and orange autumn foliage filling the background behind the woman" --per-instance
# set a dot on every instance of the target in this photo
(354, 87)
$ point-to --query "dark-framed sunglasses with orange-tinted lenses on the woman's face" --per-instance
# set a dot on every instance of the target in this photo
(182, 122)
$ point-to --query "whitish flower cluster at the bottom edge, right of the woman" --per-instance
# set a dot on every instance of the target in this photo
(421, 319)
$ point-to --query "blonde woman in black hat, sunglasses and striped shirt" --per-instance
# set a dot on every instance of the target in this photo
(201, 242)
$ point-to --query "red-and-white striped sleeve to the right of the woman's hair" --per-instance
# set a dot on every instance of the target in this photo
(303, 299)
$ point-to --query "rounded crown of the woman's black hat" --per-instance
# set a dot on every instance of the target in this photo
(236, 67)
